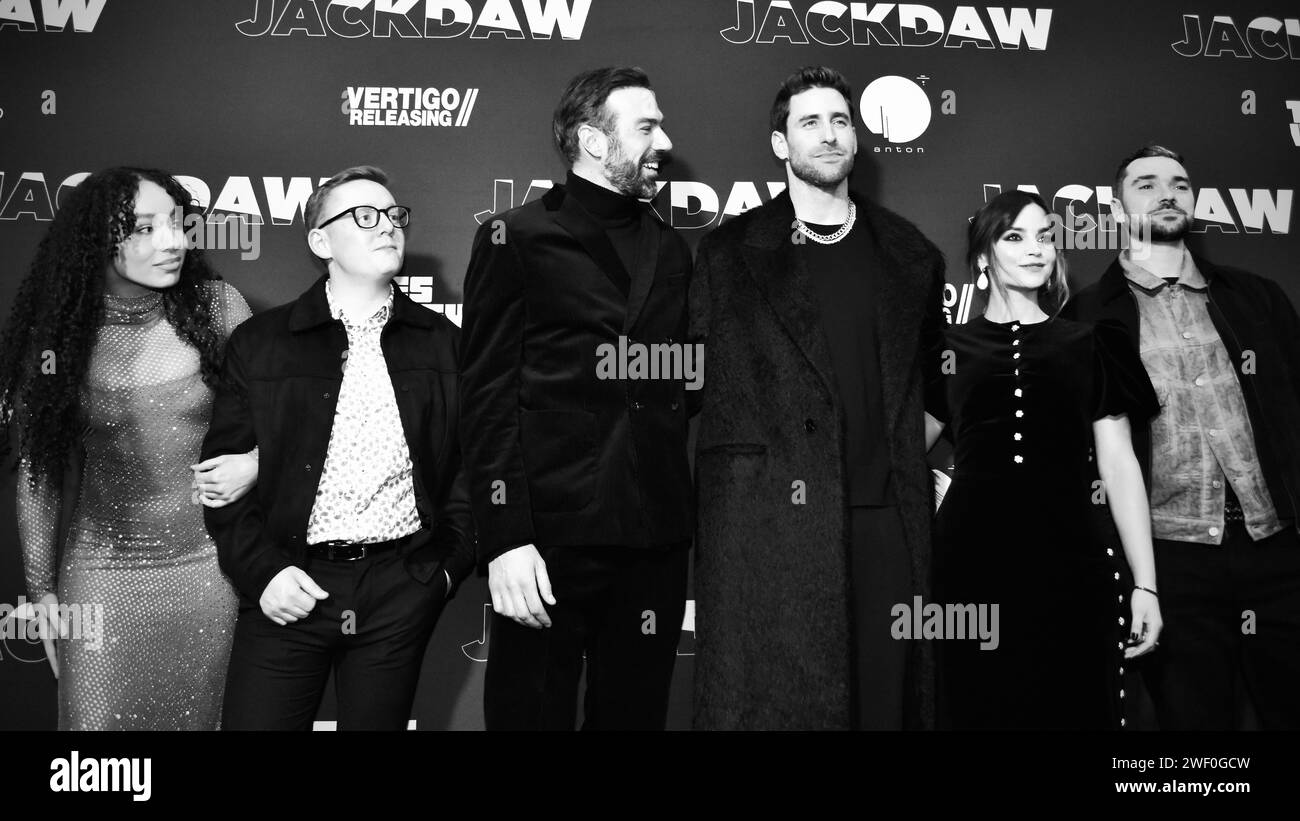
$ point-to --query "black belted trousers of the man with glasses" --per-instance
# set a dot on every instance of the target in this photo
(372, 632)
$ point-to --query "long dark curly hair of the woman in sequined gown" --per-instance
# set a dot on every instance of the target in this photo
(60, 307)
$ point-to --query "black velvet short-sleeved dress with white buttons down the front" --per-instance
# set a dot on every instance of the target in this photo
(1016, 528)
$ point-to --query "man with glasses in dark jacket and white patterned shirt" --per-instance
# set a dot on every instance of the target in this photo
(359, 528)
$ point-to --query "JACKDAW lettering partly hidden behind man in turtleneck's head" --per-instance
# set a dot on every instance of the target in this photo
(691, 205)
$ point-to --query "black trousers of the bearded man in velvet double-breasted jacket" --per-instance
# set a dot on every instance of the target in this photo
(622, 609)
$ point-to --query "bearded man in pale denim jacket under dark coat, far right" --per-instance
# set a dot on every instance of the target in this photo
(1223, 459)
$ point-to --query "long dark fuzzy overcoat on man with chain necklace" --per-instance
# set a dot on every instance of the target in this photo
(773, 618)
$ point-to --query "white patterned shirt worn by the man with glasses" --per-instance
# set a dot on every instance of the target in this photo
(366, 492)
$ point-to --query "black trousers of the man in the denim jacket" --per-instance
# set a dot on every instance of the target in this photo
(1228, 609)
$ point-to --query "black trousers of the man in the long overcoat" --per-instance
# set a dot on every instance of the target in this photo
(881, 571)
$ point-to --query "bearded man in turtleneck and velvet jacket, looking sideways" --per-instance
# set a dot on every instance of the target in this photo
(579, 472)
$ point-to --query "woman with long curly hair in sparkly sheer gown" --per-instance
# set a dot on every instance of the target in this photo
(107, 372)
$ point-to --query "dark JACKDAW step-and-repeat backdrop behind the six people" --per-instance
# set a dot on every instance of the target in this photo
(254, 102)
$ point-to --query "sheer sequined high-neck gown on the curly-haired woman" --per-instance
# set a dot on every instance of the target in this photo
(137, 551)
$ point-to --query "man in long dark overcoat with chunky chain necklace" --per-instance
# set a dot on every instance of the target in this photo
(820, 312)
